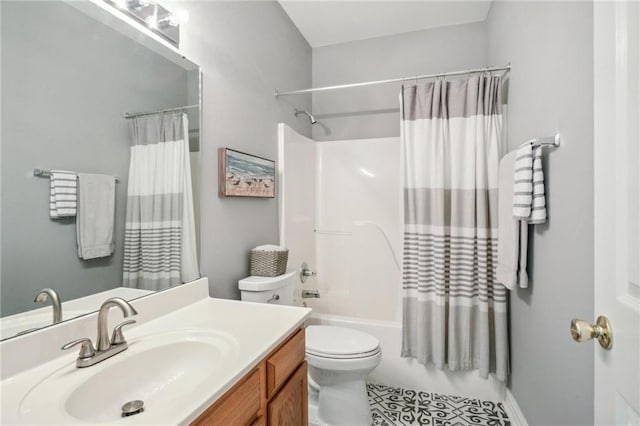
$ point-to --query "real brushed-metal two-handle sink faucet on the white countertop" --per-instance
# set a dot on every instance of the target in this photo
(107, 348)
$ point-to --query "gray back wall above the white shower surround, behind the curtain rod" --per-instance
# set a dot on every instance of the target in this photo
(374, 111)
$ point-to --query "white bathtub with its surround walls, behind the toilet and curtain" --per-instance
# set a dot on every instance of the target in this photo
(358, 280)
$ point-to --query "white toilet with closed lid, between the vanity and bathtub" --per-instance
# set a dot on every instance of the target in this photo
(339, 358)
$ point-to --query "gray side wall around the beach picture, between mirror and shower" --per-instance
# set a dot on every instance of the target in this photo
(246, 50)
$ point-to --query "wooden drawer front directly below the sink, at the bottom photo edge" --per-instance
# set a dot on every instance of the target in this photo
(239, 406)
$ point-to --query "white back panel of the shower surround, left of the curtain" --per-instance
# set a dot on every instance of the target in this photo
(358, 228)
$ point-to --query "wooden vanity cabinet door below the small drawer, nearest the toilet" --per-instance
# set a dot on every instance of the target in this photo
(289, 406)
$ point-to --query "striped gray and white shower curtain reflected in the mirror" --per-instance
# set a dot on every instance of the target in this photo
(160, 240)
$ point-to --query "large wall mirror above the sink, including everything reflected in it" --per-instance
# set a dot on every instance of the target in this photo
(113, 211)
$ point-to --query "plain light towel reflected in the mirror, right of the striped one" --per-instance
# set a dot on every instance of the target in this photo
(96, 211)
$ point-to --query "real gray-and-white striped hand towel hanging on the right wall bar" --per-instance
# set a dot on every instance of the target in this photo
(528, 186)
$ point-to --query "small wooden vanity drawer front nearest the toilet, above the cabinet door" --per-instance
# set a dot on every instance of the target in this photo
(284, 361)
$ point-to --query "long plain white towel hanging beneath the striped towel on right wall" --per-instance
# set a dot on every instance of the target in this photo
(512, 233)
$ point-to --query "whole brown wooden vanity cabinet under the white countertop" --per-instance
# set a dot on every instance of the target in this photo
(272, 394)
